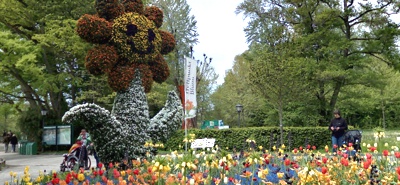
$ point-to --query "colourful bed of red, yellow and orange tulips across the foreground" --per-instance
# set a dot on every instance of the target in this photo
(255, 166)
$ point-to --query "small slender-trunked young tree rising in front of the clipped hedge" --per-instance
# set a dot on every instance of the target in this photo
(279, 76)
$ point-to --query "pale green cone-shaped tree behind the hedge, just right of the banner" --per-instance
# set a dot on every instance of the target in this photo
(235, 90)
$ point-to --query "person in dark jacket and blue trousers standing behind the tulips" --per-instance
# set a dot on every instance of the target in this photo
(338, 128)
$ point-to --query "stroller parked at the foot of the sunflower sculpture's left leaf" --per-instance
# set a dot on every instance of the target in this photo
(75, 156)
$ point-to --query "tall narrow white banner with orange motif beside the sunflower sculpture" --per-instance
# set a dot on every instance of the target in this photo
(190, 88)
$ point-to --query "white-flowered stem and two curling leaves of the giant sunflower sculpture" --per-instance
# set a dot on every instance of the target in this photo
(123, 132)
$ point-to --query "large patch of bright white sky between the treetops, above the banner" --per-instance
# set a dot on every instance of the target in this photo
(221, 35)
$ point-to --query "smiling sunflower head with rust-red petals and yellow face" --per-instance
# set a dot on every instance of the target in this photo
(128, 38)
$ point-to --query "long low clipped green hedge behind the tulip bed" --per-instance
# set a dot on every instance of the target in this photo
(236, 137)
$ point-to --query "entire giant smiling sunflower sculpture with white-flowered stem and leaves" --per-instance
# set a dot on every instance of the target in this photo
(128, 49)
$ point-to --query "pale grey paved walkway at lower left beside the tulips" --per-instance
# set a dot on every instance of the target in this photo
(17, 163)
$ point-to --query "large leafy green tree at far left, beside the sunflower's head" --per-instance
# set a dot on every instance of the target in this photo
(41, 57)
